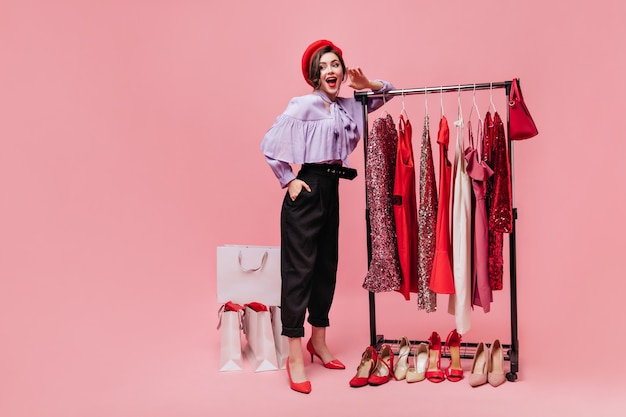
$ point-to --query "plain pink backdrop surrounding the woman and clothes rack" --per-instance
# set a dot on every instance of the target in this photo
(129, 135)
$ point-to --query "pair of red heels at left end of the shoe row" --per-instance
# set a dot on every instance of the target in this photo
(375, 368)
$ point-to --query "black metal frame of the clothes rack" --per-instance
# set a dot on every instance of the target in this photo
(467, 349)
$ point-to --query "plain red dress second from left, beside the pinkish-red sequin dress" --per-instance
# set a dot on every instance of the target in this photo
(405, 209)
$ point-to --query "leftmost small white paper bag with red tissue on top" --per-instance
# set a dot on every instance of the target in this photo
(230, 339)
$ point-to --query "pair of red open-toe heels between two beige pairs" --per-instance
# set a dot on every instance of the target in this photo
(454, 371)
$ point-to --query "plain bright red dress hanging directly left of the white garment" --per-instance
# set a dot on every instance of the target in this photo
(442, 279)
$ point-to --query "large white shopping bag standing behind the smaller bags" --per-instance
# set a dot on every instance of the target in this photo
(248, 273)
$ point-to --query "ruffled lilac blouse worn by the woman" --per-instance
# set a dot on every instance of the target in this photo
(307, 132)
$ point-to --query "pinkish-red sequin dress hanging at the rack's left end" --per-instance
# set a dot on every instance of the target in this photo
(384, 270)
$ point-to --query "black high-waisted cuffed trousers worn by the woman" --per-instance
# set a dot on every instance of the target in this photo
(309, 253)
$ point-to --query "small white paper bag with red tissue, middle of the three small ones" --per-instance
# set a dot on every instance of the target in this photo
(260, 349)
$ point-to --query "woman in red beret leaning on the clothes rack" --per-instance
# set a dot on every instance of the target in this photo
(318, 131)
